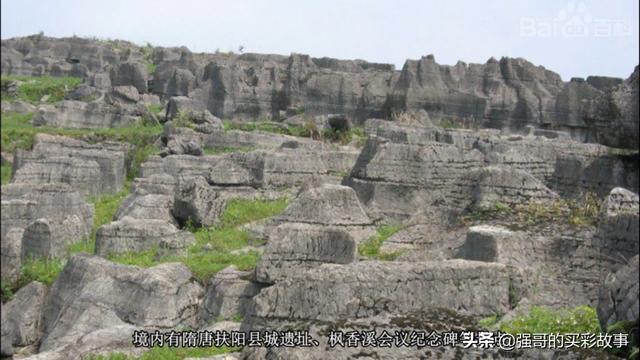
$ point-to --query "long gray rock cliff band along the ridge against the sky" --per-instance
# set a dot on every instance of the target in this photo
(509, 93)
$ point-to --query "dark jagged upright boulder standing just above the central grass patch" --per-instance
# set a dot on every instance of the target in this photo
(197, 202)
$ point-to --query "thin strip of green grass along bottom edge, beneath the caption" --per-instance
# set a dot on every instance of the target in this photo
(167, 353)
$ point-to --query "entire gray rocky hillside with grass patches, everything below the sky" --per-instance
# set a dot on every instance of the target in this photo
(345, 207)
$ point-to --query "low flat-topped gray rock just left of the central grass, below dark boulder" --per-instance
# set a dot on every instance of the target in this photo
(128, 234)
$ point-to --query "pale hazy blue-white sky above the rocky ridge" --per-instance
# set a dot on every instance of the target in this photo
(573, 38)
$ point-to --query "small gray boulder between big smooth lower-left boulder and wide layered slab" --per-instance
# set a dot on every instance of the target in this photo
(228, 295)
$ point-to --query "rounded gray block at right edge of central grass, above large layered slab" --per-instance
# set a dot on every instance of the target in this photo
(295, 247)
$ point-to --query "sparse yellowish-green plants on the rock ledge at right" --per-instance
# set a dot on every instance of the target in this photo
(582, 211)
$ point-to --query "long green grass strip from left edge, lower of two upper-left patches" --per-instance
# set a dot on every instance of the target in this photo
(18, 133)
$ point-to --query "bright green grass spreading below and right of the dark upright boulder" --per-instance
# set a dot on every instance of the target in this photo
(214, 248)
